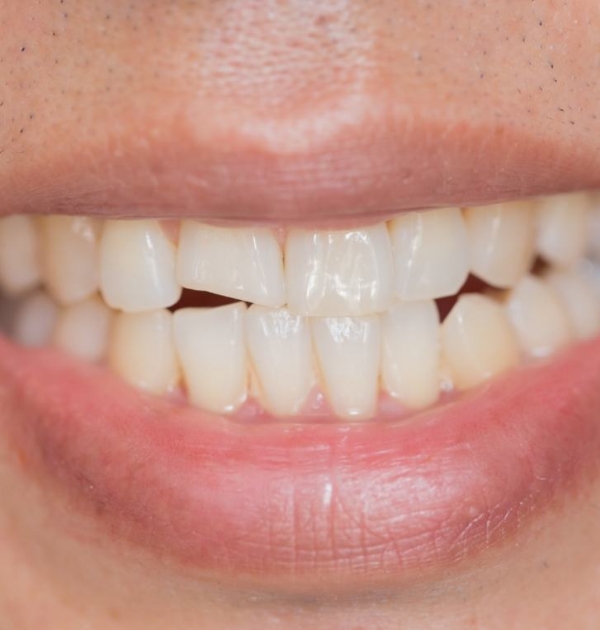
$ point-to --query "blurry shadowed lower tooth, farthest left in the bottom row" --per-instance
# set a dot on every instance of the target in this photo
(34, 320)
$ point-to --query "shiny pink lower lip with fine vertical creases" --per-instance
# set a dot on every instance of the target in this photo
(292, 503)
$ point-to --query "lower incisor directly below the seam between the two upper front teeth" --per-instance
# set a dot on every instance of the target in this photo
(280, 349)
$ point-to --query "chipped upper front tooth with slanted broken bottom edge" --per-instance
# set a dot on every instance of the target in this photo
(241, 263)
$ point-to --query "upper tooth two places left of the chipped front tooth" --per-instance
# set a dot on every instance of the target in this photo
(70, 257)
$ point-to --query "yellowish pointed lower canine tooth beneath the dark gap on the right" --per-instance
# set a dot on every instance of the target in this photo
(477, 340)
